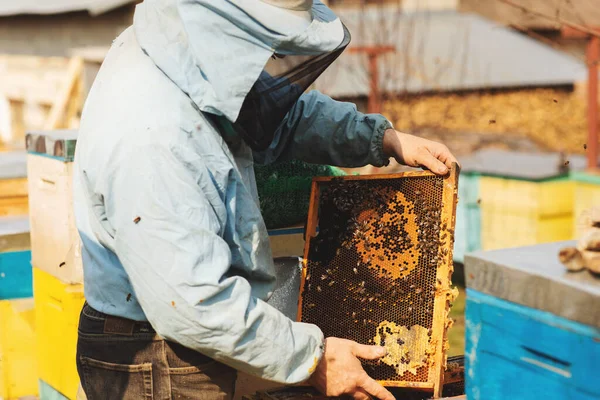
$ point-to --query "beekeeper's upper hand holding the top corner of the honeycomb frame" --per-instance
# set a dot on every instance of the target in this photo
(417, 152)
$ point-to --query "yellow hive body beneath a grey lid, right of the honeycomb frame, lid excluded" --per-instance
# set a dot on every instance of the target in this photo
(519, 213)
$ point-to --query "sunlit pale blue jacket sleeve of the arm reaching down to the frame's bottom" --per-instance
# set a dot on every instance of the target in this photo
(168, 238)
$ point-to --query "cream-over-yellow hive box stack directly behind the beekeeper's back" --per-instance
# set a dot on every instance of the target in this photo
(56, 260)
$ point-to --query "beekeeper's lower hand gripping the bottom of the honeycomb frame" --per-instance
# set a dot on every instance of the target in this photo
(340, 372)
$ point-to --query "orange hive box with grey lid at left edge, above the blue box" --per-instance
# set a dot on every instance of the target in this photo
(13, 183)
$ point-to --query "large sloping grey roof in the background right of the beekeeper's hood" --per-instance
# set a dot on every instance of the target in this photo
(443, 51)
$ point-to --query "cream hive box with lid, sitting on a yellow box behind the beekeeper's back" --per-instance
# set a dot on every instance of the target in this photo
(55, 242)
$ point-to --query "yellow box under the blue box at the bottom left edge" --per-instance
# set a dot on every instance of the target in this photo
(18, 364)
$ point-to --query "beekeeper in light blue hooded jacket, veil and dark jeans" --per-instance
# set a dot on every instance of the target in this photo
(176, 256)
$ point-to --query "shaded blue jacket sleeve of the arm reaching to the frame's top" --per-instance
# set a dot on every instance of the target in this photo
(321, 130)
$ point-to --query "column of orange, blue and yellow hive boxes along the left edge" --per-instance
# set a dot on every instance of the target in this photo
(17, 355)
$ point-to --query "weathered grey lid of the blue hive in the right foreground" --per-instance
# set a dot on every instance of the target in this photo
(532, 276)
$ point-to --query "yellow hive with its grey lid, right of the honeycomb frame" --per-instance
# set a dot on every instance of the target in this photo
(525, 198)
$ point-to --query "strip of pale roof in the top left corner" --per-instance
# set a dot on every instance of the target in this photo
(46, 7)
